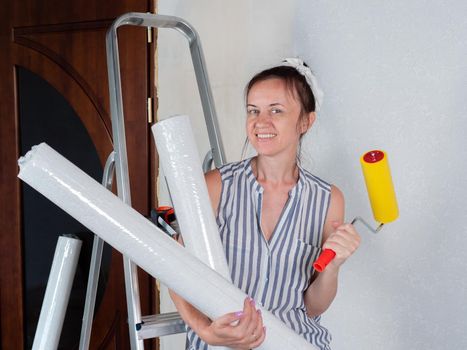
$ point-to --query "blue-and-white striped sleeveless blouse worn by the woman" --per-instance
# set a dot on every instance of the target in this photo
(275, 273)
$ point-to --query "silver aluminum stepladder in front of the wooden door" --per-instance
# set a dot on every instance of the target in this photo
(143, 327)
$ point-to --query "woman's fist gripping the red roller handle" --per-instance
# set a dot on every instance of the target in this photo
(344, 241)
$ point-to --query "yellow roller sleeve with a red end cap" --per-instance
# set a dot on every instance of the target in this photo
(379, 185)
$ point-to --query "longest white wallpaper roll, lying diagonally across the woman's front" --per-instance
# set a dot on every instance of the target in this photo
(136, 237)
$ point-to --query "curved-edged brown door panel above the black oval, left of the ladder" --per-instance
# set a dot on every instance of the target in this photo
(74, 49)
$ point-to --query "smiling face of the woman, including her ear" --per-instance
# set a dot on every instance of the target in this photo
(273, 113)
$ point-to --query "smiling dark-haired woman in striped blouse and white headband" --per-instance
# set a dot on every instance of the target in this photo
(274, 218)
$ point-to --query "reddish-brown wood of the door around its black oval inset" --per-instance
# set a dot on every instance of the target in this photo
(62, 43)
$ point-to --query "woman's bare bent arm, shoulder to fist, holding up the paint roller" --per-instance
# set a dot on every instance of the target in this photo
(344, 240)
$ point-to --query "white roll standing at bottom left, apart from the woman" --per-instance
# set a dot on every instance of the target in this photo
(57, 294)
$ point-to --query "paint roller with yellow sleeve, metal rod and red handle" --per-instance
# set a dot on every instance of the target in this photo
(382, 197)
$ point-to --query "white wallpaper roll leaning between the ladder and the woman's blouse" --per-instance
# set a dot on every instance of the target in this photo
(178, 155)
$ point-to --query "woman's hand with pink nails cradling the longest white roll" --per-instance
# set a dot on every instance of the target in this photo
(238, 330)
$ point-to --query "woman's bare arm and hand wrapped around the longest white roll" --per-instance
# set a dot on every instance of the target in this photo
(242, 329)
